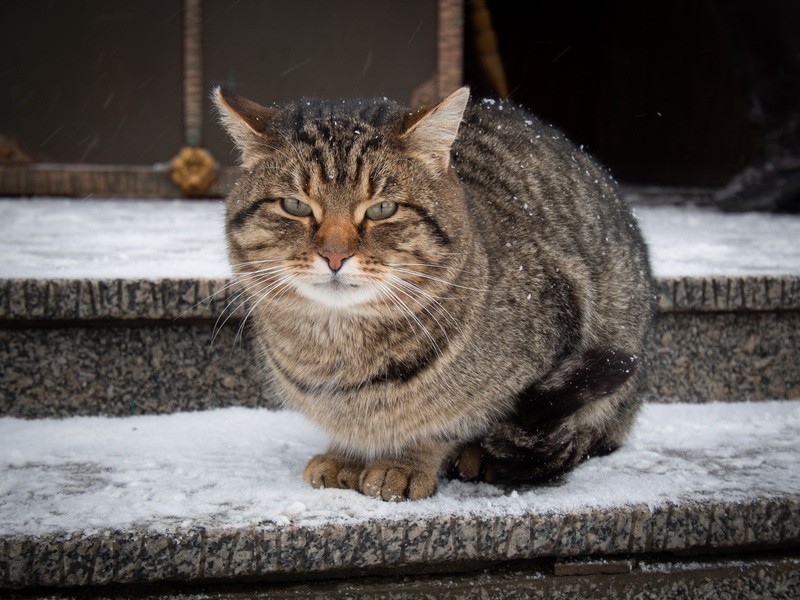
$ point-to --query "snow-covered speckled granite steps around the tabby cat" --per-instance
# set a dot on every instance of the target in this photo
(111, 309)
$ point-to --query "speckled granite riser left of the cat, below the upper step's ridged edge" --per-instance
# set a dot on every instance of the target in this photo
(121, 370)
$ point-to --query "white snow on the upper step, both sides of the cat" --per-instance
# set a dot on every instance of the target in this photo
(129, 239)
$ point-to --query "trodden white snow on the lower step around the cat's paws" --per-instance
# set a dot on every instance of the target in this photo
(239, 467)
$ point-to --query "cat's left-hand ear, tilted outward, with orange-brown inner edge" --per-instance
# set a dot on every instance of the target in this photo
(249, 124)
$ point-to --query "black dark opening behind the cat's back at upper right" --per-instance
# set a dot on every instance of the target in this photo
(682, 92)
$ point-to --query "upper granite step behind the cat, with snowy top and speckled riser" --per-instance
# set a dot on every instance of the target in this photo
(117, 307)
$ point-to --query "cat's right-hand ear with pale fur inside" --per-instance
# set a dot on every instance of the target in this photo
(430, 133)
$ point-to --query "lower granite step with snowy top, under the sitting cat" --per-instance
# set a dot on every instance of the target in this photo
(218, 496)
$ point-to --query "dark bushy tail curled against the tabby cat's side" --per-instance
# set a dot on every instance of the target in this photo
(583, 408)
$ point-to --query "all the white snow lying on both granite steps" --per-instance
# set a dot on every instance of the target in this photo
(240, 467)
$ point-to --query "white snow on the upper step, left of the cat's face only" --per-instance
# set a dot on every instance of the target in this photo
(110, 239)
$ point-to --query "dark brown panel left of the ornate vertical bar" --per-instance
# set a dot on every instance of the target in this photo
(92, 80)
